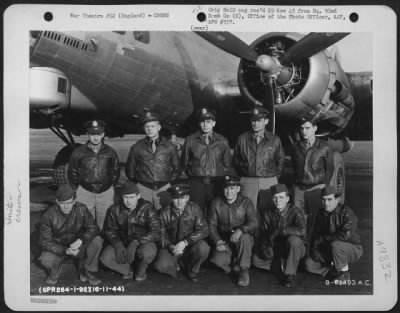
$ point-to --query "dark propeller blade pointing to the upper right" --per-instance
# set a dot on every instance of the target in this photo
(310, 45)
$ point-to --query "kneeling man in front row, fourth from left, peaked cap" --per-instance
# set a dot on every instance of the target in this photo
(232, 221)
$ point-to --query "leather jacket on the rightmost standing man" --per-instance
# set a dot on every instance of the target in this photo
(313, 166)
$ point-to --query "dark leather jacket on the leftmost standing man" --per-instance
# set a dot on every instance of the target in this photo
(95, 172)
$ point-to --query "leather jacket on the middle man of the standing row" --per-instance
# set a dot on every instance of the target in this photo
(200, 159)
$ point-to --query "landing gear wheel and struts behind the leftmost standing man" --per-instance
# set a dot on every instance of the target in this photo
(60, 166)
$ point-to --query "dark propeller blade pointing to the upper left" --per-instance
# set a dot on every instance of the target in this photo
(230, 43)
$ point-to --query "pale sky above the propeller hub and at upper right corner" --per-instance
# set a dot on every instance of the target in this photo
(355, 50)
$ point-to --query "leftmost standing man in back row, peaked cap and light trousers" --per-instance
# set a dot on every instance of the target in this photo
(94, 170)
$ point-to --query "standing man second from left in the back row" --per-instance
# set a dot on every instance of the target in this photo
(153, 162)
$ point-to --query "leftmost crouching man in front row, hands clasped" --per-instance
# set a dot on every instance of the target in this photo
(68, 229)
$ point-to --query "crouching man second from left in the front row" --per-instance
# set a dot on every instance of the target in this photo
(132, 227)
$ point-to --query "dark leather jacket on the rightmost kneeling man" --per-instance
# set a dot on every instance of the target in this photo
(340, 224)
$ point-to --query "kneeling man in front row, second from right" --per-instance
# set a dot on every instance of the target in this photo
(282, 236)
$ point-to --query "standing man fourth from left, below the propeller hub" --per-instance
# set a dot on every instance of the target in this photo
(259, 158)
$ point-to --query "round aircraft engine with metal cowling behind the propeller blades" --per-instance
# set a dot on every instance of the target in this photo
(315, 86)
